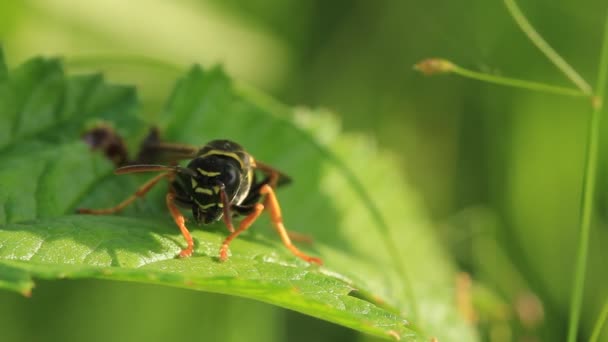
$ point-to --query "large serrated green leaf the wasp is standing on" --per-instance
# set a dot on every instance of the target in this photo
(385, 274)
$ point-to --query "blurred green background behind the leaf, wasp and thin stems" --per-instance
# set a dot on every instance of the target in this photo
(500, 169)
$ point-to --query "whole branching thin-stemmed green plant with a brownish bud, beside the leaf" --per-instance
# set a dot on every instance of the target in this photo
(596, 98)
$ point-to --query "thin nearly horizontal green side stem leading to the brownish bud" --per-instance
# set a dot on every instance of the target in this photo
(517, 83)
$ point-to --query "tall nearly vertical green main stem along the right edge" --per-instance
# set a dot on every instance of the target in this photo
(587, 200)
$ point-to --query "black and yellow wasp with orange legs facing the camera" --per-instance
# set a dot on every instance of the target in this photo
(220, 181)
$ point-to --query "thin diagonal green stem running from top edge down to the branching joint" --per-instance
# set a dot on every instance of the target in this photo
(546, 49)
